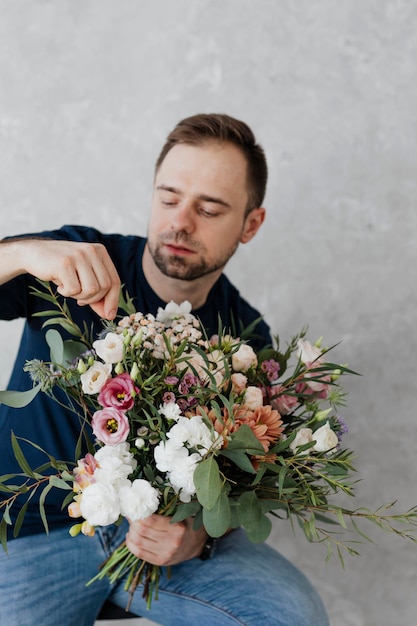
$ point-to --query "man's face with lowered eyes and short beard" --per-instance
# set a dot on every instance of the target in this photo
(198, 209)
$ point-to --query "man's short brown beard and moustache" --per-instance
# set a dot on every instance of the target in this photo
(181, 267)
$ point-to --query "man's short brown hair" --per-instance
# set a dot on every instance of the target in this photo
(205, 127)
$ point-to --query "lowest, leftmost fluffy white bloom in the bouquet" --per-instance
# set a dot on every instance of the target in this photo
(100, 504)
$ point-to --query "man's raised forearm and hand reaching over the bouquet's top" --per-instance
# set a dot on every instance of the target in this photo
(81, 270)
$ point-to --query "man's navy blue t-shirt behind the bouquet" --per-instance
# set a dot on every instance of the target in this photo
(44, 422)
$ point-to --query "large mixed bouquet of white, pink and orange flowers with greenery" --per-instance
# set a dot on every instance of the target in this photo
(187, 425)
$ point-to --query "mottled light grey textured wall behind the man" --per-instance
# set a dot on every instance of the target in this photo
(88, 91)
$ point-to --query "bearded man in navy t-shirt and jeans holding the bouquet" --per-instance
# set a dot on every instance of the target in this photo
(208, 191)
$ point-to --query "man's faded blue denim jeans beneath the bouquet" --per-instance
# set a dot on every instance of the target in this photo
(42, 581)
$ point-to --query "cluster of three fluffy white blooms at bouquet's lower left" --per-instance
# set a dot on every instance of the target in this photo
(109, 493)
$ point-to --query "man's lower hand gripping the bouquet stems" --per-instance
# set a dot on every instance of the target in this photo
(159, 542)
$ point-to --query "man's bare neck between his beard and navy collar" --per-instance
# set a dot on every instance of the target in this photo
(167, 288)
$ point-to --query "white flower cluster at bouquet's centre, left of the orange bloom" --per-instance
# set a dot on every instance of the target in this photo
(173, 456)
